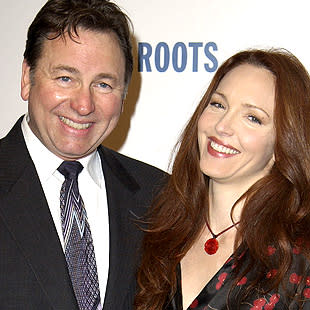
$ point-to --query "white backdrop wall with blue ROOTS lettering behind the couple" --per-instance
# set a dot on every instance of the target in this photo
(181, 43)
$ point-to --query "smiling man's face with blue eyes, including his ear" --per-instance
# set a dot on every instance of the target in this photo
(75, 94)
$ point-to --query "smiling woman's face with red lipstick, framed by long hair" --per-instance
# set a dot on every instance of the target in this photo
(236, 132)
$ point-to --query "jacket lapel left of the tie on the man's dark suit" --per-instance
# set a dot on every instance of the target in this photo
(25, 211)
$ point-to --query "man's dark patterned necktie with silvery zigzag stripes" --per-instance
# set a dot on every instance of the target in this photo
(78, 243)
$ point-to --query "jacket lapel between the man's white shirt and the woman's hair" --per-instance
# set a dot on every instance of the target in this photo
(124, 236)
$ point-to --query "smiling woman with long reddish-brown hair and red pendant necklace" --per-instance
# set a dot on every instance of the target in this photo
(231, 228)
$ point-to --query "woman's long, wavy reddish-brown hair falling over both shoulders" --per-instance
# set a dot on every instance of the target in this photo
(277, 207)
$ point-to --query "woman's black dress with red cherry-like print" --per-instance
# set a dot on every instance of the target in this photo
(217, 292)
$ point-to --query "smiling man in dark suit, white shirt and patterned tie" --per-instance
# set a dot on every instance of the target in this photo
(71, 242)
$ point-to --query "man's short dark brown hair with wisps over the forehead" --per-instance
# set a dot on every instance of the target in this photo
(58, 17)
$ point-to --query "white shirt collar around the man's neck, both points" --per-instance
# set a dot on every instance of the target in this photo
(46, 162)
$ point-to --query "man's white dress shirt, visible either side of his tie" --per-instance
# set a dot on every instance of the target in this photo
(92, 188)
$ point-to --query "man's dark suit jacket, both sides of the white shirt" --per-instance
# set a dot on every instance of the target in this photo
(33, 272)
